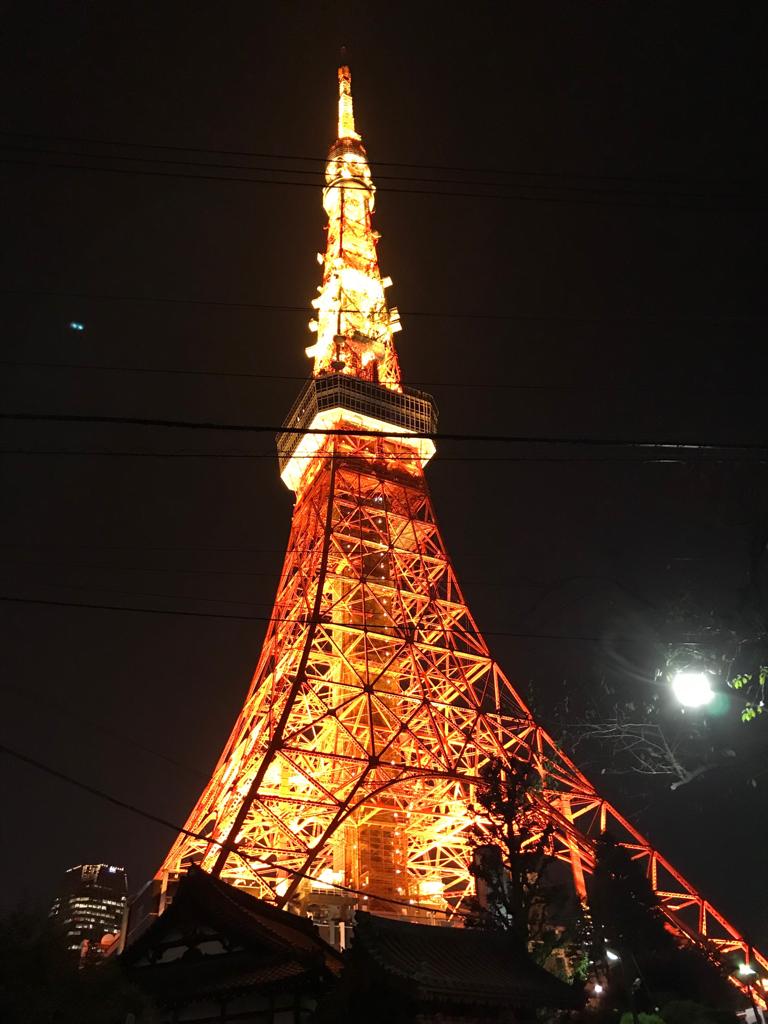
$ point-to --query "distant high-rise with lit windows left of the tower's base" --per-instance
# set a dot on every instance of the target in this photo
(89, 910)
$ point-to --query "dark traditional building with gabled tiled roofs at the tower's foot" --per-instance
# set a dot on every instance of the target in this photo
(220, 956)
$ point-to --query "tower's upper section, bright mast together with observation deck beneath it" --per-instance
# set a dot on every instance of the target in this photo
(357, 376)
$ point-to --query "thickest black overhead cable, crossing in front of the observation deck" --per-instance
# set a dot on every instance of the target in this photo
(621, 443)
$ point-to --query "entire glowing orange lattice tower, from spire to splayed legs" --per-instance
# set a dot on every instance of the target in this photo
(351, 777)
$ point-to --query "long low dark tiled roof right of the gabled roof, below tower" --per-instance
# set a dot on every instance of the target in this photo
(466, 965)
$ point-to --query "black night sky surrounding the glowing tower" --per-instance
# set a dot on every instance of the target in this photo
(618, 291)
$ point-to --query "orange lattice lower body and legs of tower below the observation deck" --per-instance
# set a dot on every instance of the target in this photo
(378, 726)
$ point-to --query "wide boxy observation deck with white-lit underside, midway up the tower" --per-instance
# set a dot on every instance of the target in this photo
(328, 401)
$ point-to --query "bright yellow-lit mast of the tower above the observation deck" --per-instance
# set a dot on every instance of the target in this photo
(355, 325)
